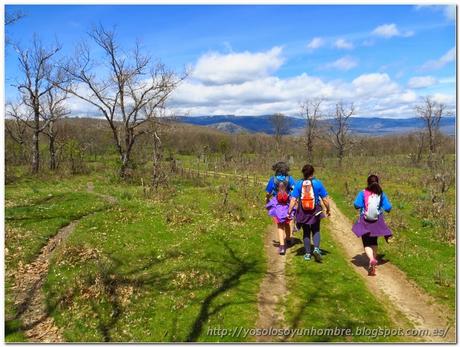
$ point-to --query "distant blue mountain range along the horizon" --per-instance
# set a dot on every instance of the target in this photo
(372, 126)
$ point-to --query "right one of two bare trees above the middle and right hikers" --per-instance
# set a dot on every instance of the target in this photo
(339, 129)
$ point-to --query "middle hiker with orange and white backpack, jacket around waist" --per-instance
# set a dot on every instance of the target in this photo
(306, 197)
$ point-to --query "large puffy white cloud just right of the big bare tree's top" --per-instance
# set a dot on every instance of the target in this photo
(217, 68)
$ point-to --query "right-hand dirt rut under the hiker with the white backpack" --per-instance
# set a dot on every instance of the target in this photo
(391, 284)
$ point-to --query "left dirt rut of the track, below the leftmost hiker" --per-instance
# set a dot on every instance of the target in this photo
(272, 289)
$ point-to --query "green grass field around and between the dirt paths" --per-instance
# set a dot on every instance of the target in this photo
(170, 265)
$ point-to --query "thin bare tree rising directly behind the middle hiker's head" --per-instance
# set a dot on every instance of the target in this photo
(311, 112)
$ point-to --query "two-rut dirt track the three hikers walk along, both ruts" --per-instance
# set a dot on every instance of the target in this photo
(402, 298)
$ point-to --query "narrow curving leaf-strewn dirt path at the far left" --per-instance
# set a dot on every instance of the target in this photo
(37, 325)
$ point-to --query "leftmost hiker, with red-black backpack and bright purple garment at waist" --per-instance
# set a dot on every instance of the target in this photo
(278, 191)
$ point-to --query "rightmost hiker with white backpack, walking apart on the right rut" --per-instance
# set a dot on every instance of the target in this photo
(372, 202)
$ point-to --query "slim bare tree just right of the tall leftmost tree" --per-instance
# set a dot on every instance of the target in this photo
(54, 109)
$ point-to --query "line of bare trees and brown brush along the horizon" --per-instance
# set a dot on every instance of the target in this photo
(129, 91)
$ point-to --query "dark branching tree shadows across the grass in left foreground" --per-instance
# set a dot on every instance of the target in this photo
(150, 276)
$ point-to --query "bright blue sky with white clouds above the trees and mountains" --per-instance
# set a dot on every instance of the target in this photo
(260, 59)
